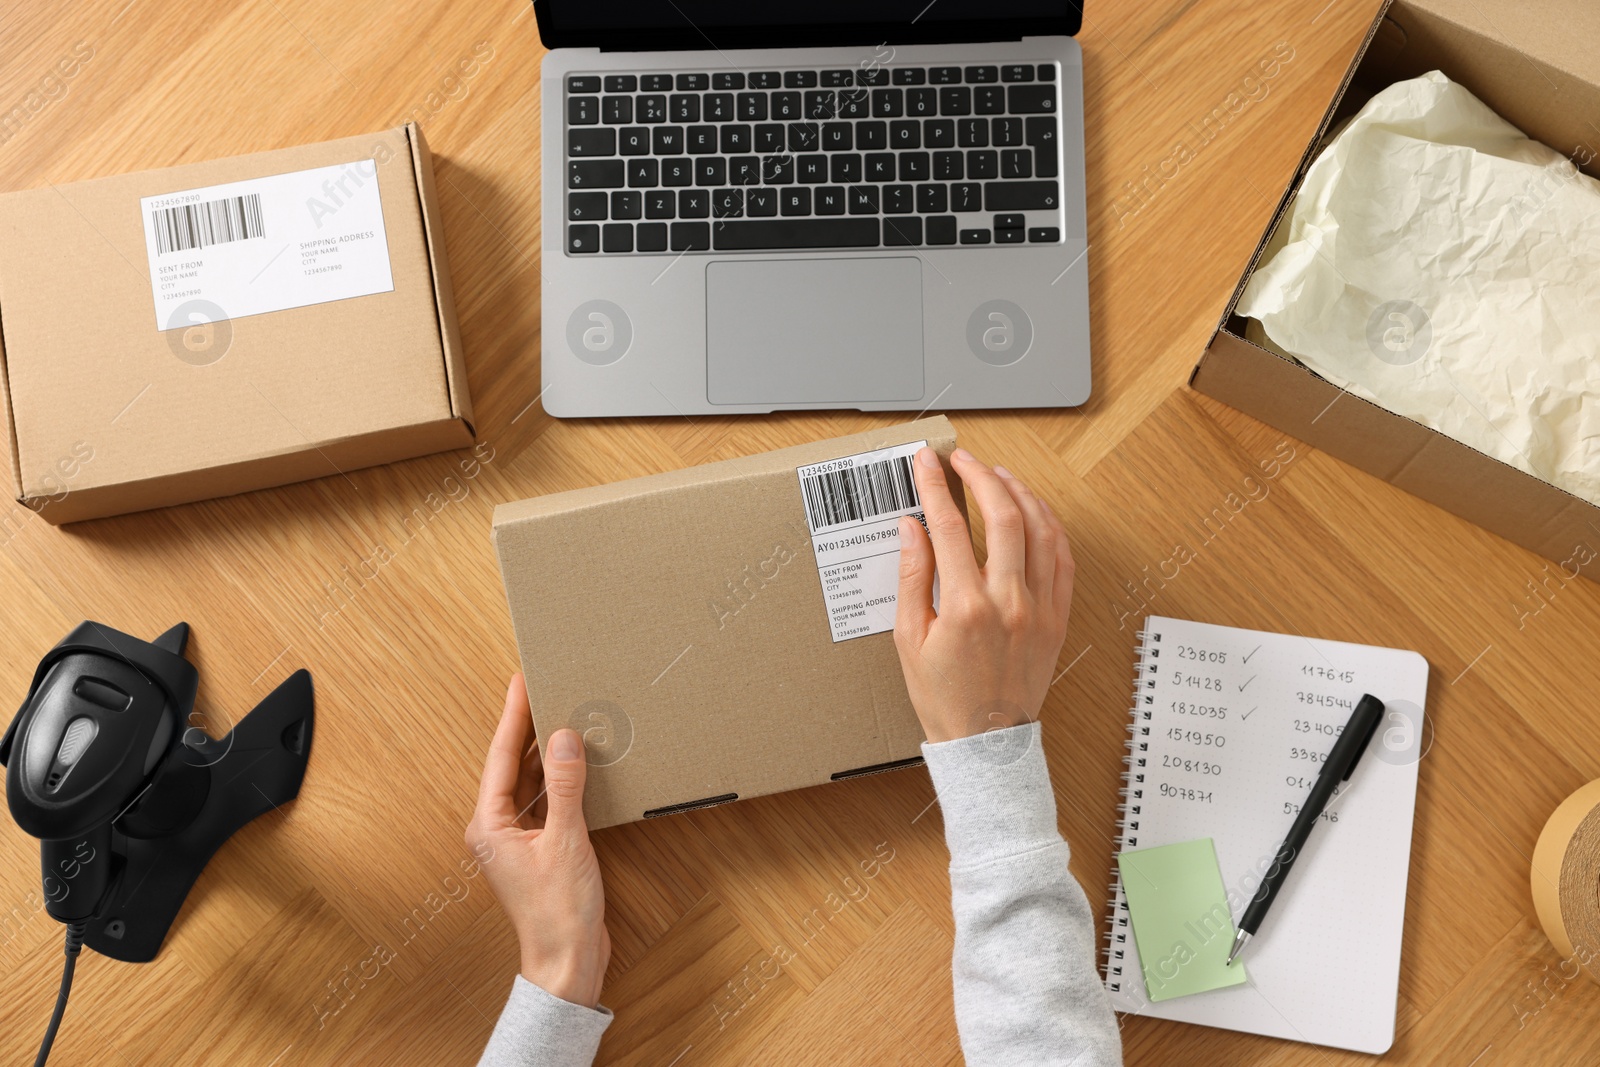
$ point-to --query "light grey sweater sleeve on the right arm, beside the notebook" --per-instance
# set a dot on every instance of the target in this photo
(1026, 989)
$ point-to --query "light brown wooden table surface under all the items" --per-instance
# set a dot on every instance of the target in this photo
(345, 930)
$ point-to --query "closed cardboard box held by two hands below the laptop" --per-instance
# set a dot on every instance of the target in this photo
(681, 625)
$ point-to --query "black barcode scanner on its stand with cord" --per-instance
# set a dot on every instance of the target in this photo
(130, 801)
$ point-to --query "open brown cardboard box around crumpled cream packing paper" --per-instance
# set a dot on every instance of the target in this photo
(1548, 84)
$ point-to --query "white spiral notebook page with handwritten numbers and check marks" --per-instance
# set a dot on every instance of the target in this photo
(1228, 733)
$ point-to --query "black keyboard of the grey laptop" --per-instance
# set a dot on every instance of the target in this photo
(900, 156)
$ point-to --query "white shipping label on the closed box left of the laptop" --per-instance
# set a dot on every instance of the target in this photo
(266, 246)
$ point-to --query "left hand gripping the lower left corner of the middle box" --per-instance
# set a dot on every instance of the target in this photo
(530, 837)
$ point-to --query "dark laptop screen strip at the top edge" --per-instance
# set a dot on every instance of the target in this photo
(679, 25)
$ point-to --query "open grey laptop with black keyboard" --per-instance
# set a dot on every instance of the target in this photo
(839, 204)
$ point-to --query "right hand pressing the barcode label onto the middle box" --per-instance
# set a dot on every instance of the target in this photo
(988, 657)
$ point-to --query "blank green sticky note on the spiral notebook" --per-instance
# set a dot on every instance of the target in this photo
(1180, 919)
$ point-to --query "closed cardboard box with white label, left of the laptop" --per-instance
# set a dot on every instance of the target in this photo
(164, 340)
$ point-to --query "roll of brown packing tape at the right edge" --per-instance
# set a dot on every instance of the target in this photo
(1567, 879)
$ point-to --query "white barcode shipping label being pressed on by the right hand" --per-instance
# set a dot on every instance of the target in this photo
(854, 508)
